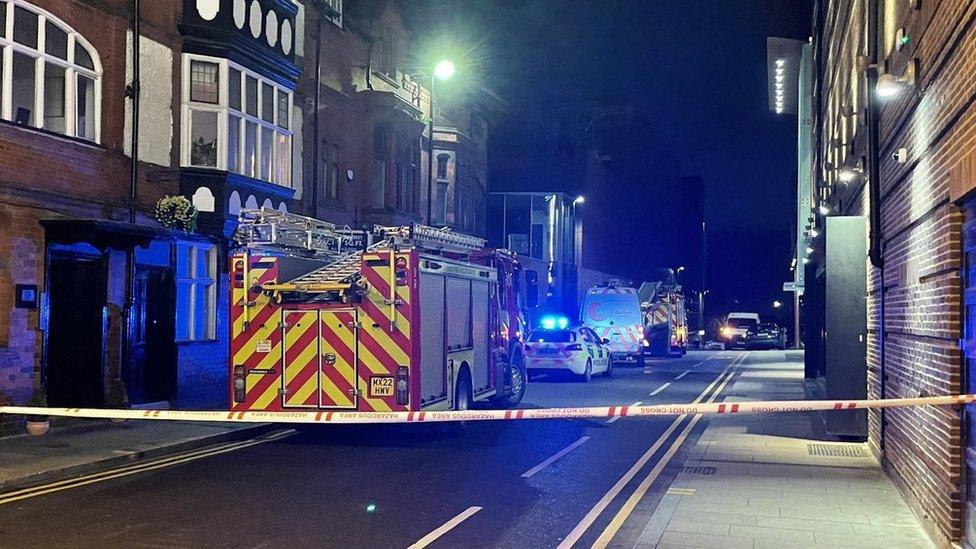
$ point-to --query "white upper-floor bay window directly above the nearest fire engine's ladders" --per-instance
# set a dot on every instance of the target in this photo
(235, 120)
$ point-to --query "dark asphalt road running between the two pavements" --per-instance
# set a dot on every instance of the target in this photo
(512, 484)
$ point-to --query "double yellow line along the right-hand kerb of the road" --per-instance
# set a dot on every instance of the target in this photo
(711, 393)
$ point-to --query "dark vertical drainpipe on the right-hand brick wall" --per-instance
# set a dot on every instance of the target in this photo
(875, 236)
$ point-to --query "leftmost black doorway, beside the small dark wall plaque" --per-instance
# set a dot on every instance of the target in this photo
(76, 287)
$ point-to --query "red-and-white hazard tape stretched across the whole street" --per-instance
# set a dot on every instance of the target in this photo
(490, 415)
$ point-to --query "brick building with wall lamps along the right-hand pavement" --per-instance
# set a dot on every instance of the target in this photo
(893, 127)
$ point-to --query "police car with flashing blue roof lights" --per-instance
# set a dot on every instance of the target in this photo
(556, 346)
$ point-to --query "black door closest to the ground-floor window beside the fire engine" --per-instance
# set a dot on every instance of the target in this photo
(152, 375)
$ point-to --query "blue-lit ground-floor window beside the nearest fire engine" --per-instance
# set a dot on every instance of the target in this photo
(196, 291)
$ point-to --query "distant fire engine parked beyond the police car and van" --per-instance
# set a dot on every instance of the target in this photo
(665, 319)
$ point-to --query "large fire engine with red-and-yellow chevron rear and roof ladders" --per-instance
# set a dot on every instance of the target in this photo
(383, 319)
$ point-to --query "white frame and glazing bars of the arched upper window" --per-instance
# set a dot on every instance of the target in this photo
(41, 60)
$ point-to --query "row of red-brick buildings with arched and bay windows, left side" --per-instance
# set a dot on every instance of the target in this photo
(296, 106)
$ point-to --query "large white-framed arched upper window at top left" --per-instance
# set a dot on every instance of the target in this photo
(50, 76)
